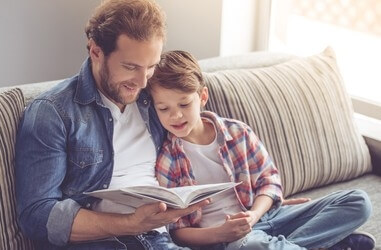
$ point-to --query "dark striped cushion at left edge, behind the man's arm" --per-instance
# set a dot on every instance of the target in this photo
(11, 108)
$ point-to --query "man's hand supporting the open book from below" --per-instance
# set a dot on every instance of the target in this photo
(151, 216)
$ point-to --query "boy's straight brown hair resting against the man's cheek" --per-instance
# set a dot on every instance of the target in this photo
(179, 70)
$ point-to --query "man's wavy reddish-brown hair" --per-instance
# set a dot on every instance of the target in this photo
(138, 19)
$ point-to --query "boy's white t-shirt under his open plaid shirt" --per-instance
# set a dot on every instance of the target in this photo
(208, 169)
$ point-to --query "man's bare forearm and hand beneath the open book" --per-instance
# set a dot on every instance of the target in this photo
(90, 225)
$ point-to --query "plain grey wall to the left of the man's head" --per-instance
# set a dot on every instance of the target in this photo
(42, 39)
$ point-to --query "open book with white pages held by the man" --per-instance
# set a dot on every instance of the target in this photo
(178, 197)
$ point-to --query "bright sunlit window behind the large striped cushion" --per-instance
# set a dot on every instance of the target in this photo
(351, 27)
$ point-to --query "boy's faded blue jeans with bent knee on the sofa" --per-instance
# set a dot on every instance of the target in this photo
(319, 223)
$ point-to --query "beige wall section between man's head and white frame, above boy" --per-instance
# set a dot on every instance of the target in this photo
(194, 26)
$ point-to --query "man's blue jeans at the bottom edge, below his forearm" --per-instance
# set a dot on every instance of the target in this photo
(152, 240)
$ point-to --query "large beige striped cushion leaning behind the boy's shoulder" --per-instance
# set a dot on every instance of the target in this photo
(301, 112)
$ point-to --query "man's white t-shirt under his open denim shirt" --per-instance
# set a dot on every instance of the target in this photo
(134, 154)
